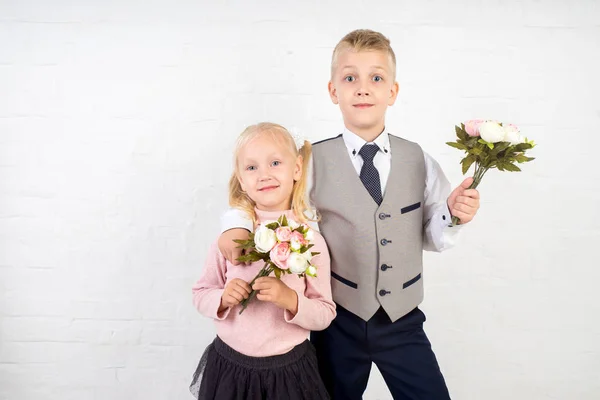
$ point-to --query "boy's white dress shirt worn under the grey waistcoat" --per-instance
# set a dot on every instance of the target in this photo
(438, 235)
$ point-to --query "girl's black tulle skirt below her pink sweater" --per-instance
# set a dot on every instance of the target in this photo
(225, 374)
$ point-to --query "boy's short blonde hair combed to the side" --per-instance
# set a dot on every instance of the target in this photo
(364, 40)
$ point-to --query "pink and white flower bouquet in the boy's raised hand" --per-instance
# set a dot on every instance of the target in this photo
(490, 144)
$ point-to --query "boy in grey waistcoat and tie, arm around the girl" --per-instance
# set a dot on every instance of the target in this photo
(378, 213)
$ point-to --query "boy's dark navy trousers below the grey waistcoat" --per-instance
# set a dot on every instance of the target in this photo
(401, 351)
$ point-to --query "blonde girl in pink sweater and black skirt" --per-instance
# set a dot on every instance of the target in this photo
(264, 352)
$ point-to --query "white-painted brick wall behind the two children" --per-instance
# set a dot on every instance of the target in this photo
(117, 120)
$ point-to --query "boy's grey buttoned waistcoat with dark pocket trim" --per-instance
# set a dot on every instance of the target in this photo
(376, 251)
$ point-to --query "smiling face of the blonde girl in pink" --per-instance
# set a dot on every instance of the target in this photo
(267, 170)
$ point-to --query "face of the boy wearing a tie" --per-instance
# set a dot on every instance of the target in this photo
(363, 85)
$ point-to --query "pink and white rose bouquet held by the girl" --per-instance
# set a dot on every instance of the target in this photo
(284, 247)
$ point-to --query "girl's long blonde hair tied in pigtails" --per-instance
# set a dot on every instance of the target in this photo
(240, 199)
